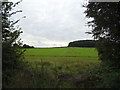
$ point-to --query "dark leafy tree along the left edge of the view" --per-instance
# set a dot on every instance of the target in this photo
(11, 52)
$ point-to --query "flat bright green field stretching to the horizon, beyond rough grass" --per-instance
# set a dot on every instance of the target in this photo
(62, 54)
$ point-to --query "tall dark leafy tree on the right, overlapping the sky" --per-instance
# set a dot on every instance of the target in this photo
(105, 24)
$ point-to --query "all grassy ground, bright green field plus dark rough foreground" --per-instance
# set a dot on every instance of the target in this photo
(65, 68)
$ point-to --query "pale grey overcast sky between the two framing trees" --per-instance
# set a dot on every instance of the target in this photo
(52, 23)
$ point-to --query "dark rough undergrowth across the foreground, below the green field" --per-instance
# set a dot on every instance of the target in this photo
(42, 75)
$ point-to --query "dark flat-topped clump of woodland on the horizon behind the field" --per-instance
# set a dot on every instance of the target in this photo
(82, 43)
